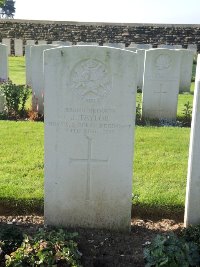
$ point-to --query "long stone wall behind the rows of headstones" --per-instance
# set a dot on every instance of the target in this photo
(101, 32)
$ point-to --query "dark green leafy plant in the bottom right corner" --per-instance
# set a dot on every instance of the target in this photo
(171, 251)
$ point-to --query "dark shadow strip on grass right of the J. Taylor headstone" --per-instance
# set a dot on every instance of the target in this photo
(157, 212)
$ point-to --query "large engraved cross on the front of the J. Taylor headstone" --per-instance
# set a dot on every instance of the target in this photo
(88, 160)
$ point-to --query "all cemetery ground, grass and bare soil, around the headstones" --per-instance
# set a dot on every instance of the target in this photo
(159, 182)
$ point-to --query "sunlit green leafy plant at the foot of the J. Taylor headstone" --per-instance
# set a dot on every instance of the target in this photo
(46, 248)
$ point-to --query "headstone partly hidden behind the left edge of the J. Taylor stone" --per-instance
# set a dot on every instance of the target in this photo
(37, 77)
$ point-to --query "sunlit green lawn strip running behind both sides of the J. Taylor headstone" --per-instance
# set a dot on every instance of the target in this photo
(160, 165)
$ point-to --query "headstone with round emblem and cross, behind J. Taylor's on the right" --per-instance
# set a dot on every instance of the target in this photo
(161, 84)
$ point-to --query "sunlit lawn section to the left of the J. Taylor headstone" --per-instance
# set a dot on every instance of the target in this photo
(22, 164)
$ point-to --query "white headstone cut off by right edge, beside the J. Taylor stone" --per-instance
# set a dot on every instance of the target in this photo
(192, 205)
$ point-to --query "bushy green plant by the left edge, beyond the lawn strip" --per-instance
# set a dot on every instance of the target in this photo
(15, 98)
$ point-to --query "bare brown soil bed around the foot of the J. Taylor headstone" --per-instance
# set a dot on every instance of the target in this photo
(102, 248)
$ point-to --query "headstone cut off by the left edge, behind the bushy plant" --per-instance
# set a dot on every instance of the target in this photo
(3, 70)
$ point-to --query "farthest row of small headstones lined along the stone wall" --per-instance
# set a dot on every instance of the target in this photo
(19, 45)
